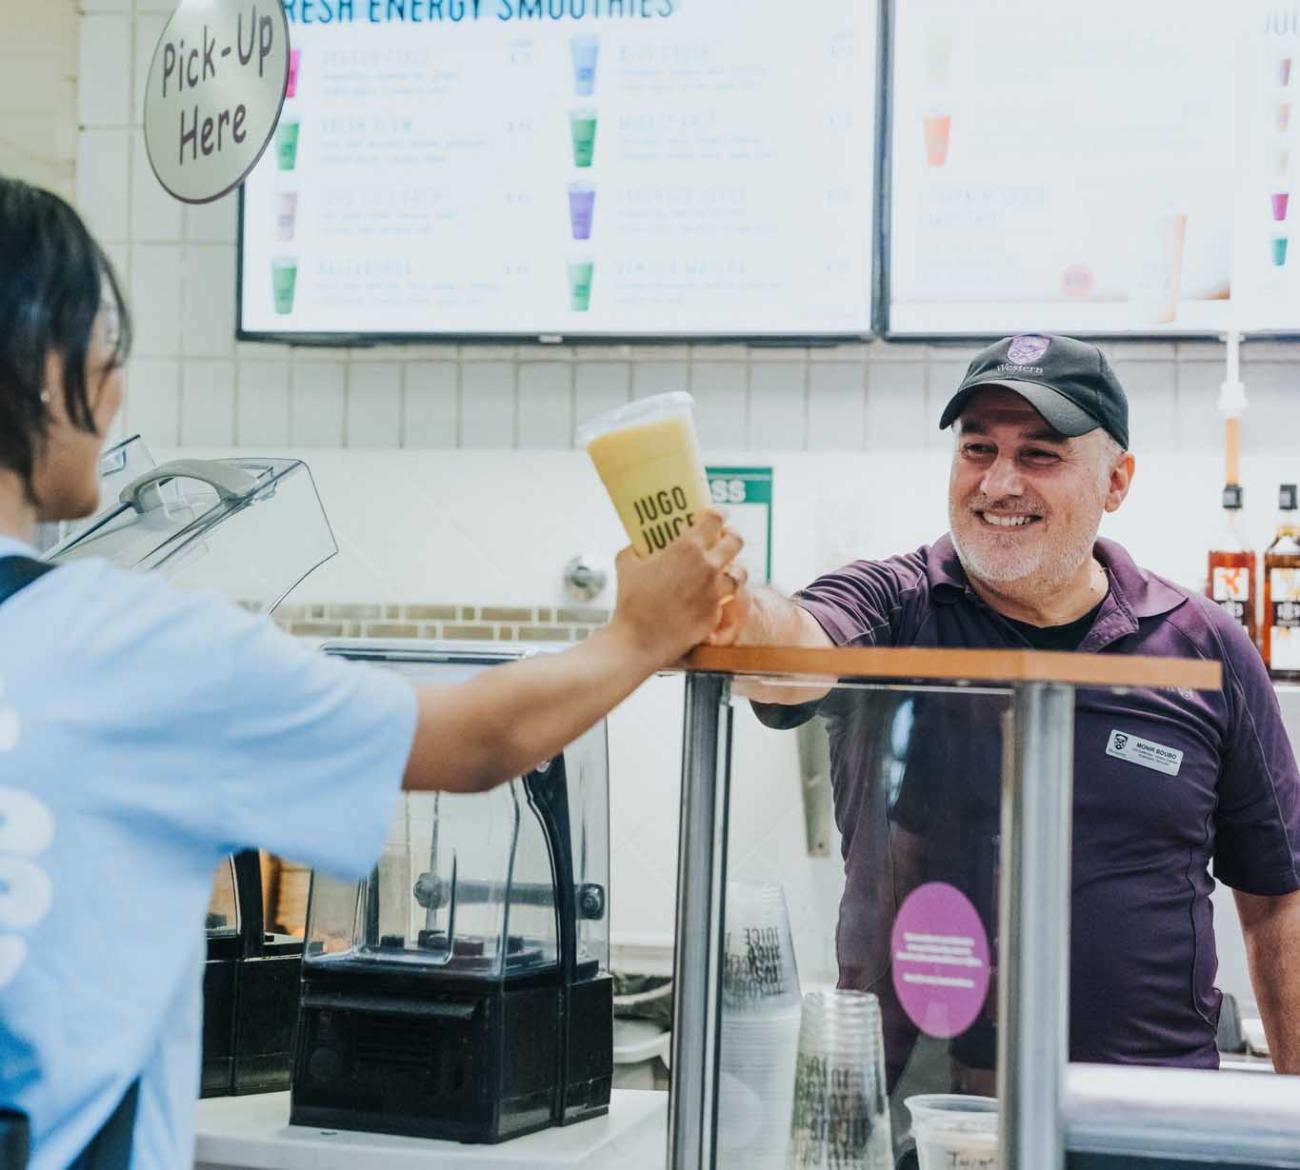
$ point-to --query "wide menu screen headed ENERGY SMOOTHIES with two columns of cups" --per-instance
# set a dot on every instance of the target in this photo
(567, 168)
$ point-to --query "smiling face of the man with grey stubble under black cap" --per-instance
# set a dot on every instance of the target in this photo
(1024, 501)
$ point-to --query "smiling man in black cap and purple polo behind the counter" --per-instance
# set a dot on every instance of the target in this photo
(1168, 785)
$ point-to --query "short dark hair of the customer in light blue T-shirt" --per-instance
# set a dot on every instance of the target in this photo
(54, 281)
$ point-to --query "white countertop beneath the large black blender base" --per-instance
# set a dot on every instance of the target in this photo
(254, 1134)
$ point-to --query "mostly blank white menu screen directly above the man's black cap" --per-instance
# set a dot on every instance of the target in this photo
(1064, 175)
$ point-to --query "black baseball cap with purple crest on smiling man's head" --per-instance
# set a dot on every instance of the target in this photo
(1068, 382)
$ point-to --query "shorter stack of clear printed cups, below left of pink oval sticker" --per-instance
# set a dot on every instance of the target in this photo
(842, 1106)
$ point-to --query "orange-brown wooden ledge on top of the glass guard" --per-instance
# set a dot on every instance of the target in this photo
(969, 666)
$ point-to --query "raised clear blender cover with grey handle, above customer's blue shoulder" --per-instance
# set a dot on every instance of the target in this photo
(252, 528)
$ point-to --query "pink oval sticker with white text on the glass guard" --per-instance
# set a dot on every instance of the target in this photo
(941, 960)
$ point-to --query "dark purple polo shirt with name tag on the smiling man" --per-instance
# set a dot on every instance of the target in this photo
(917, 799)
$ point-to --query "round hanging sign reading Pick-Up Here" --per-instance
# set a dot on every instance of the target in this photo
(215, 93)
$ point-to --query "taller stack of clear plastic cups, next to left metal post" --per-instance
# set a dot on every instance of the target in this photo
(760, 1029)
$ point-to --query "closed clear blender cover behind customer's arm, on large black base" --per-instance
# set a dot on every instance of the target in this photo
(471, 885)
